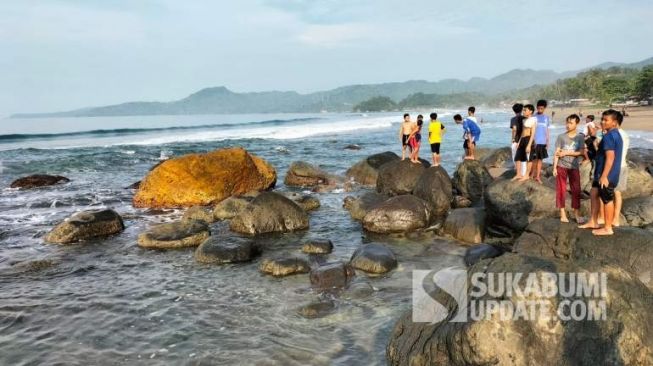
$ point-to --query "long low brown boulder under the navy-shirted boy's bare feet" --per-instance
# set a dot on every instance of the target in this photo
(629, 248)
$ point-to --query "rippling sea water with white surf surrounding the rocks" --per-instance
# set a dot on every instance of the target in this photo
(110, 302)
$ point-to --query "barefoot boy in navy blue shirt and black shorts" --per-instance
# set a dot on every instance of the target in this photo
(606, 173)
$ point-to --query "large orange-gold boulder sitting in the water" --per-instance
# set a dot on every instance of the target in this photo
(204, 179)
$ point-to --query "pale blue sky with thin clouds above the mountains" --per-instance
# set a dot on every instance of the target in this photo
(65, 54)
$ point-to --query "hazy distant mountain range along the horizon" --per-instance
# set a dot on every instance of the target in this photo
(222, 100)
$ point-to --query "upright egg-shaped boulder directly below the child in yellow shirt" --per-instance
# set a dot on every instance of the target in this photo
(434, 186)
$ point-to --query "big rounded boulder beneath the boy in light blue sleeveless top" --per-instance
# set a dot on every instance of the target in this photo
(511, 206)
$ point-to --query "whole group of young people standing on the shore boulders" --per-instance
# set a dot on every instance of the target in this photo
(604, 147)
